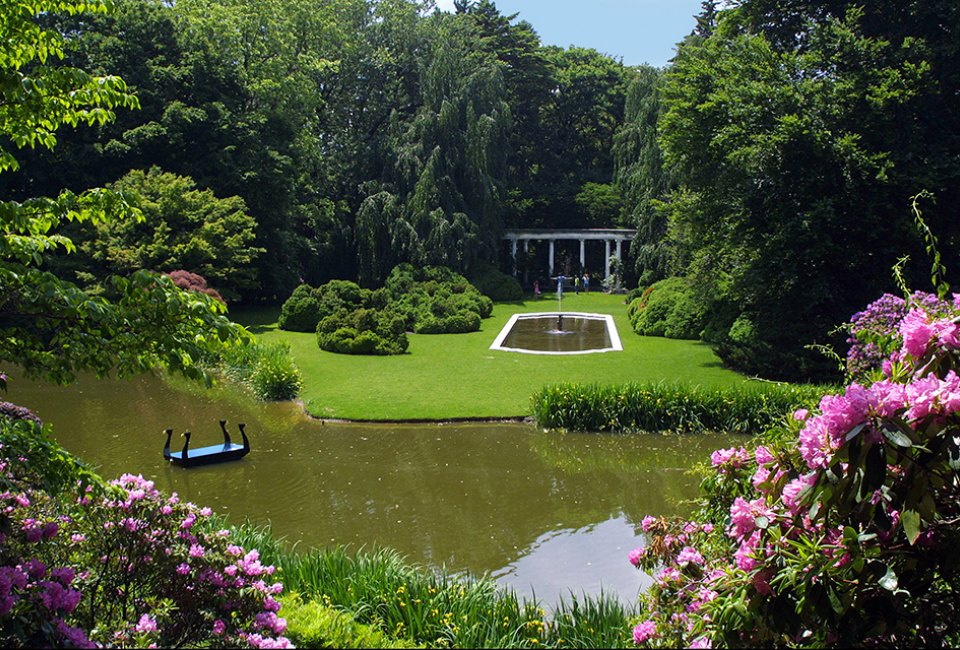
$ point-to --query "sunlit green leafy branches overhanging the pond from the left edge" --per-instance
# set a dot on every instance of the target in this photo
(48, 325)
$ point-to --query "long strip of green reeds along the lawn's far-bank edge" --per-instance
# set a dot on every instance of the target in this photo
(659, 407)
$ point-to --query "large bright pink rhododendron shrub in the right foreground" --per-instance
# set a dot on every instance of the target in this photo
(841, 528)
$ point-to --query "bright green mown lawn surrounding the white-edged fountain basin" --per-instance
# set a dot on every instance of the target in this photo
(457, 376)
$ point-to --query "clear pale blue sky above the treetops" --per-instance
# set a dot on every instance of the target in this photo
(633, 31)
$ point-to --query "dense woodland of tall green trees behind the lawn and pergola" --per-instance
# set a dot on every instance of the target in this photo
(771, 164)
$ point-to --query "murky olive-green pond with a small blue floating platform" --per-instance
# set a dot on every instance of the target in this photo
(545, 514)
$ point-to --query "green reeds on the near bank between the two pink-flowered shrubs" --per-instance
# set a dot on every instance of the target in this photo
(413, 605)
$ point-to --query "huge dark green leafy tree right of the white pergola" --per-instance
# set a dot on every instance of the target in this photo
(798, 132)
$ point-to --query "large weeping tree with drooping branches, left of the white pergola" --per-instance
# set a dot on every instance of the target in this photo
(441, 201)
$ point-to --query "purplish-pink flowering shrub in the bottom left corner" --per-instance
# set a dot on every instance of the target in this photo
(121, 565)
